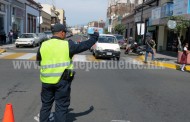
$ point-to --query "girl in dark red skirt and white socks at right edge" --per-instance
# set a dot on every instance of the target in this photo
(184, 57)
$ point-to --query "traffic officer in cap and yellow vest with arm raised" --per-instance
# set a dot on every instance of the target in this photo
(56, 71)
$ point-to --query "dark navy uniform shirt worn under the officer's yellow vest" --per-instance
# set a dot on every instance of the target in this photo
(73, 47)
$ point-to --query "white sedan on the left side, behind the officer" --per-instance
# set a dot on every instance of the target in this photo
(27, 39)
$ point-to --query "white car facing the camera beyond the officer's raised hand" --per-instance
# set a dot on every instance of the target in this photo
(107, 47)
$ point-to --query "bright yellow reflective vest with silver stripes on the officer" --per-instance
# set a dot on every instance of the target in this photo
(54, 60)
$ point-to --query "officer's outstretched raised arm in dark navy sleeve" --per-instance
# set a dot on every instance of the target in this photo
(84, 45)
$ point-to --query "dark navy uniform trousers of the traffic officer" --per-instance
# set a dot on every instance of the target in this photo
(59, 92)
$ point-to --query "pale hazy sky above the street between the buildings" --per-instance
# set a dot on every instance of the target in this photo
(80, 12)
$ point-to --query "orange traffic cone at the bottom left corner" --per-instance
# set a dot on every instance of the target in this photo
(8, 115)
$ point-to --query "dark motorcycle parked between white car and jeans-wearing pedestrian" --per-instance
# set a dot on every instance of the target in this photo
(135, 48)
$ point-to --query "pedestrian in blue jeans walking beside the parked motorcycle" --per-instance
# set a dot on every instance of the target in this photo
(150, 45)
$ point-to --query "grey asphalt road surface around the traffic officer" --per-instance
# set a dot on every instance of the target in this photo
(111, 94)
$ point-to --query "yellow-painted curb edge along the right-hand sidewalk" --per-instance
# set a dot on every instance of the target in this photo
(163, 64)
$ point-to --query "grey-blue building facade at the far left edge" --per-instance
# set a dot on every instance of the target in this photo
(12, 14)
